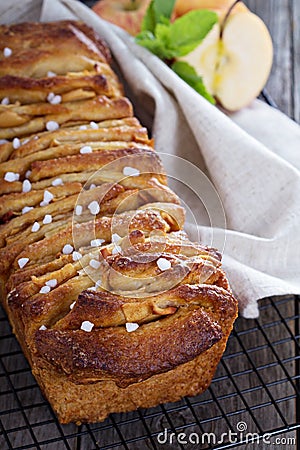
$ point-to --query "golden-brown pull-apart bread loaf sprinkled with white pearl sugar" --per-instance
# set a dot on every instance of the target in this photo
(113, 306)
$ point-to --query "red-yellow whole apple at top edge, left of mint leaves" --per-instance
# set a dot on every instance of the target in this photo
(127, 14)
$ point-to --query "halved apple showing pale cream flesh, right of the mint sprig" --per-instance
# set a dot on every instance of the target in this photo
(235, 64)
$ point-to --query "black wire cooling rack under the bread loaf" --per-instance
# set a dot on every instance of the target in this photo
(255, 390)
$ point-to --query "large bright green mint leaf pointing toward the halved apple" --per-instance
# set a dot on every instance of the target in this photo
(187, 32)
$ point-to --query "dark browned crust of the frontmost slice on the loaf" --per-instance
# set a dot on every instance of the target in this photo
(114, 354)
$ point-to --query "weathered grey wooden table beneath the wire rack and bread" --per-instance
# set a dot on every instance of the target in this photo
(256, 381)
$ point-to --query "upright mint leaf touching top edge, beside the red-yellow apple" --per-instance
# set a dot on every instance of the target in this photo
(159, 11)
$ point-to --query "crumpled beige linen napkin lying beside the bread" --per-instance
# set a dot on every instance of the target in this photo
(238, 176)
